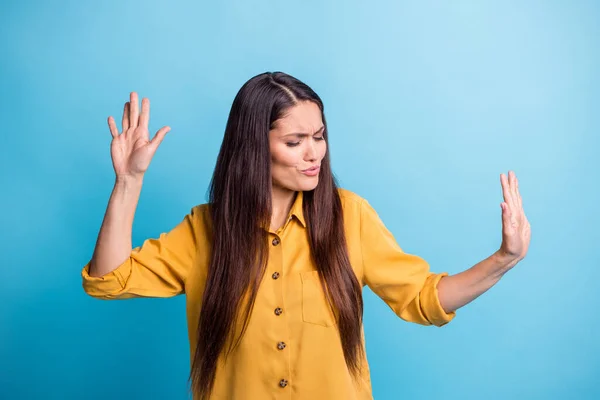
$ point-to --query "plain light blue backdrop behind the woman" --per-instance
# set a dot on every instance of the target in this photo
(427, 103)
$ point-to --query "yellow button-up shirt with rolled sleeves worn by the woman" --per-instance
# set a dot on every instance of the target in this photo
(291, 348)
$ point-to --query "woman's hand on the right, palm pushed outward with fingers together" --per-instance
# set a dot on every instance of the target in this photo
(516, 231)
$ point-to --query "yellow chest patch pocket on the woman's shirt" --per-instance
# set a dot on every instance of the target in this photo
(315, 308)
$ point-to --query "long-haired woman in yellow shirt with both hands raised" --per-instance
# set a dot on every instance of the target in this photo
(274, 264)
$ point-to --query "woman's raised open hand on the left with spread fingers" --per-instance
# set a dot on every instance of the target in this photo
(131, 150)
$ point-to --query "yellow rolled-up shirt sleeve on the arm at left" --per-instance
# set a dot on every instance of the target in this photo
(157, 268)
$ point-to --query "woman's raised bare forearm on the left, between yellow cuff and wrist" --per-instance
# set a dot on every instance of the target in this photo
(113, 245)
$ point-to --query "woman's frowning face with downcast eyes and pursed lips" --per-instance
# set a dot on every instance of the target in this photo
(297, 144)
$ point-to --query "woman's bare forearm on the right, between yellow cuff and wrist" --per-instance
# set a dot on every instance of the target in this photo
(458, 290)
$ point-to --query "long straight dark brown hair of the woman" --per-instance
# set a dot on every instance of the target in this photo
(240, 205)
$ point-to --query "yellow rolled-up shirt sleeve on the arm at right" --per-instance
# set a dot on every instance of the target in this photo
(403, 281)
